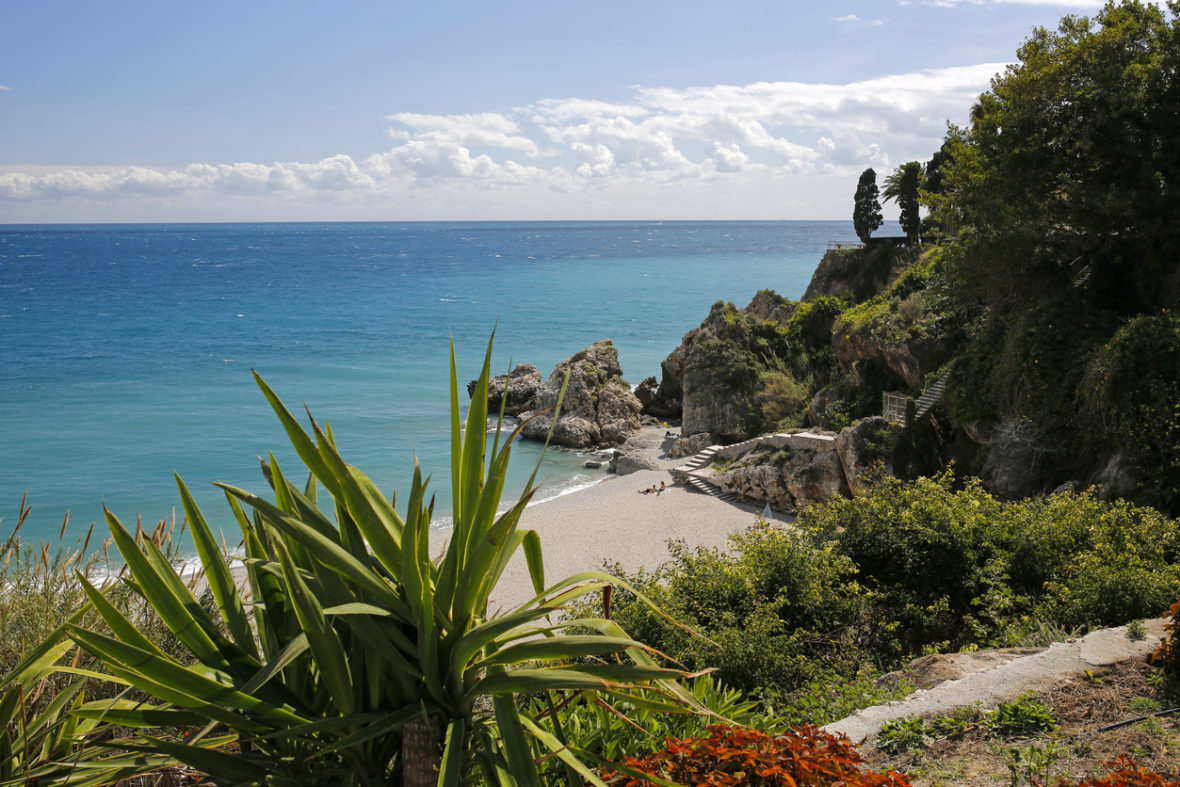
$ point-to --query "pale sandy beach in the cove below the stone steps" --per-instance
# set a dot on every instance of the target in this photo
(612, 522)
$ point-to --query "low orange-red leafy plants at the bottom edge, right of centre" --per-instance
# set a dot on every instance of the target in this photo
(740, 757)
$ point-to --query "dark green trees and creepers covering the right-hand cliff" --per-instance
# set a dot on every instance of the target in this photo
(1053, 288)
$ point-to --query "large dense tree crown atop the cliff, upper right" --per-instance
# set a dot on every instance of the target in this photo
(1070, 169)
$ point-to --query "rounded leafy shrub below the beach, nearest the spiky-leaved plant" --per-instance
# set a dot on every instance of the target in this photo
(771, 606)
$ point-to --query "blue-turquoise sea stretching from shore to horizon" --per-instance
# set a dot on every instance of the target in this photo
(126, 351)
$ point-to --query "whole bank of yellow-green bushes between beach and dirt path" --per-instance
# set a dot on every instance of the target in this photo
(904, 569)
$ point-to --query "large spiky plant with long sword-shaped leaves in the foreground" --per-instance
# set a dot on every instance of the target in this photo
(356, 658)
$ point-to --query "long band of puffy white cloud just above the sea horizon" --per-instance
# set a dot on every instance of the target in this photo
(667, 147)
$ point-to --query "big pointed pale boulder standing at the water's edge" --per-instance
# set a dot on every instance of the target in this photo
(600, 409)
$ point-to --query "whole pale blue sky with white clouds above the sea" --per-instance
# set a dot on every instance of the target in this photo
(460, 110)
